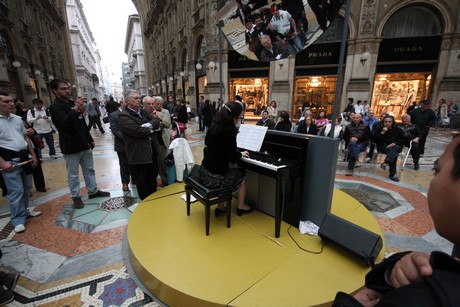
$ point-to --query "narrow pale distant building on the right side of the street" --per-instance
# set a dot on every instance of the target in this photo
(134, 70)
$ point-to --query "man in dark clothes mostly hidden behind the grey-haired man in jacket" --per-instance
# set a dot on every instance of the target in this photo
(119, 146)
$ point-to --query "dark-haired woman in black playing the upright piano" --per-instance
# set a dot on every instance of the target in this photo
(220, 151)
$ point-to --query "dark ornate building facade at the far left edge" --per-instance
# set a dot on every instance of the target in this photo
(34, 48)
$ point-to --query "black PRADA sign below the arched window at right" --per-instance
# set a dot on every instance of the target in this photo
(409, 49)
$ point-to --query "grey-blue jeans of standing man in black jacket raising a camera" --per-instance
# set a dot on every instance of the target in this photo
(85, 160)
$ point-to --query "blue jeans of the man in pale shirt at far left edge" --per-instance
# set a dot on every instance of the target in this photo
(19, 185)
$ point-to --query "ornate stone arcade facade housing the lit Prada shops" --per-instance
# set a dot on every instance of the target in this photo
(397, 52)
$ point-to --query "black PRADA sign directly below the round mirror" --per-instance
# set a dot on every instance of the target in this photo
(319, 54)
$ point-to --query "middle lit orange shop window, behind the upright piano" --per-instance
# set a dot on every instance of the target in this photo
(316, 92)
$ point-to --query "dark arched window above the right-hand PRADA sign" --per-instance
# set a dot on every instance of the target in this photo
(413, 21)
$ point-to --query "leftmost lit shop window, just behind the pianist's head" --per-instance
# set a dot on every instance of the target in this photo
(253, 91)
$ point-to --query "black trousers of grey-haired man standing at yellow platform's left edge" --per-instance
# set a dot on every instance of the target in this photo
(146, 177)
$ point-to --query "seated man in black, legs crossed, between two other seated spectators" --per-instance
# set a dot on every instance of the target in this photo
(389, 140)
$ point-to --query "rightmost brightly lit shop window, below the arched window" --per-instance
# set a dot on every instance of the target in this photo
(394, 93)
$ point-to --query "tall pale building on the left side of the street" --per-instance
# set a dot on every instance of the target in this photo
(89, 74)
